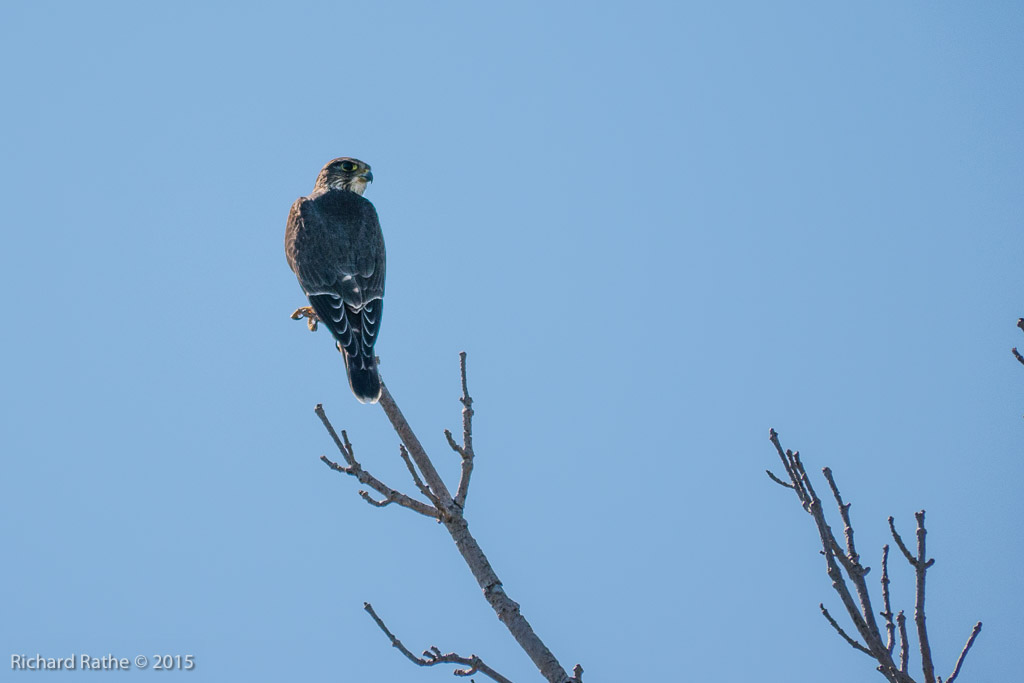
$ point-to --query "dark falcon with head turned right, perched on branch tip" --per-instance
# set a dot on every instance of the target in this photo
(335, 247)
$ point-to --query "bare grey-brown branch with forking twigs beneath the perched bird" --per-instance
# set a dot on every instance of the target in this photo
(441, 505)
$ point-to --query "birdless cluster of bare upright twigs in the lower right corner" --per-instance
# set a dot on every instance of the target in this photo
(845, 569)
